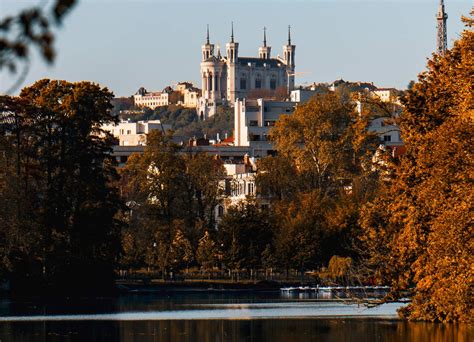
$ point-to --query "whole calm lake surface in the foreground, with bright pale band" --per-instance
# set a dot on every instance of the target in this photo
(214, 316)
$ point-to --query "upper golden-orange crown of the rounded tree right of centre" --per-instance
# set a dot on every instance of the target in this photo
(326, 140)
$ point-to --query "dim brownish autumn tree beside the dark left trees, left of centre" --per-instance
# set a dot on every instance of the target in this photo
(174, 194)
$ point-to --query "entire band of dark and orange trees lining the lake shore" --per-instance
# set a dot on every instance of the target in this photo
(329, 202)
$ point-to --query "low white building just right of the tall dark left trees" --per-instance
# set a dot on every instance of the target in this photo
(134, 133)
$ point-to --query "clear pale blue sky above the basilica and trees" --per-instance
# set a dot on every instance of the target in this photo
(124, 45)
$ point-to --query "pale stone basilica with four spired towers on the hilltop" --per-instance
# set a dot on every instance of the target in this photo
(231, 77)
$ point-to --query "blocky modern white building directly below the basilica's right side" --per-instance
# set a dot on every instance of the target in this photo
(253, 120)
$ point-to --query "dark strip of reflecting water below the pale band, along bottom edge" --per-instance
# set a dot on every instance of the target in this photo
(285, 330)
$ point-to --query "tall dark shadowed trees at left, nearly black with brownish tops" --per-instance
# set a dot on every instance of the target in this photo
(63, 161)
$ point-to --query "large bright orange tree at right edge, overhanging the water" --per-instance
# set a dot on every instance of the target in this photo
(428, 237)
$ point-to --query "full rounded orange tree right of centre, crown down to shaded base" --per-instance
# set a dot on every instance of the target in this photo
(319, 179)
